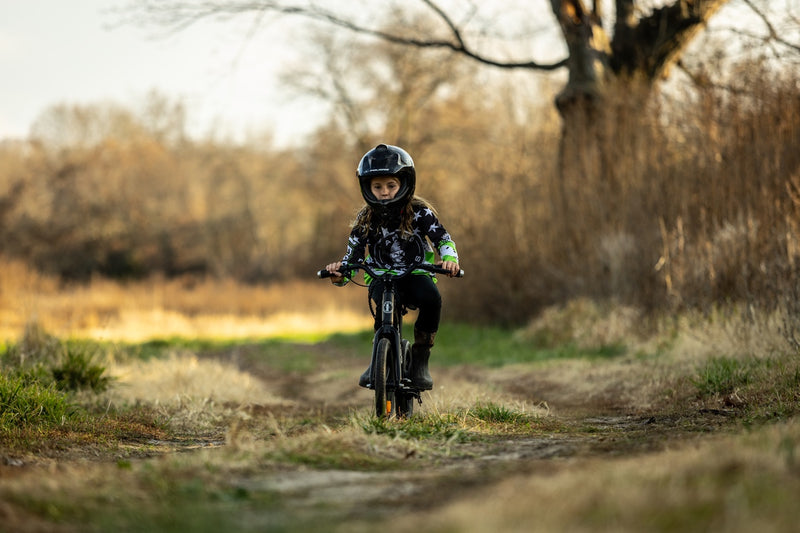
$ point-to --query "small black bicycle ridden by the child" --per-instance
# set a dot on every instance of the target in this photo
(391, 353)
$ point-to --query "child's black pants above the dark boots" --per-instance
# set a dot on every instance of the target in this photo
(415, 290)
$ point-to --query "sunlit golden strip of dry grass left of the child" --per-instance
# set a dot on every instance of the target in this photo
(188, 307)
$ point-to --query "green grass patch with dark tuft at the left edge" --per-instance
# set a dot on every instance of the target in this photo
(41, 408)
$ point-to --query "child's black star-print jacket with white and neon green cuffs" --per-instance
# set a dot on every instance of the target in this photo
(389, 249)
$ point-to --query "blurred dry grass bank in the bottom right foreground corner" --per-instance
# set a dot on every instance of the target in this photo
(733, 483)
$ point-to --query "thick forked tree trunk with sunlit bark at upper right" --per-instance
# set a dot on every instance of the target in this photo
(609, 82)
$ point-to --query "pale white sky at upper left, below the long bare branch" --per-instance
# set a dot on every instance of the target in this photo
(73, 52)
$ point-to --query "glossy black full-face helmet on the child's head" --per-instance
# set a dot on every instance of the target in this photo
(387, 160)
